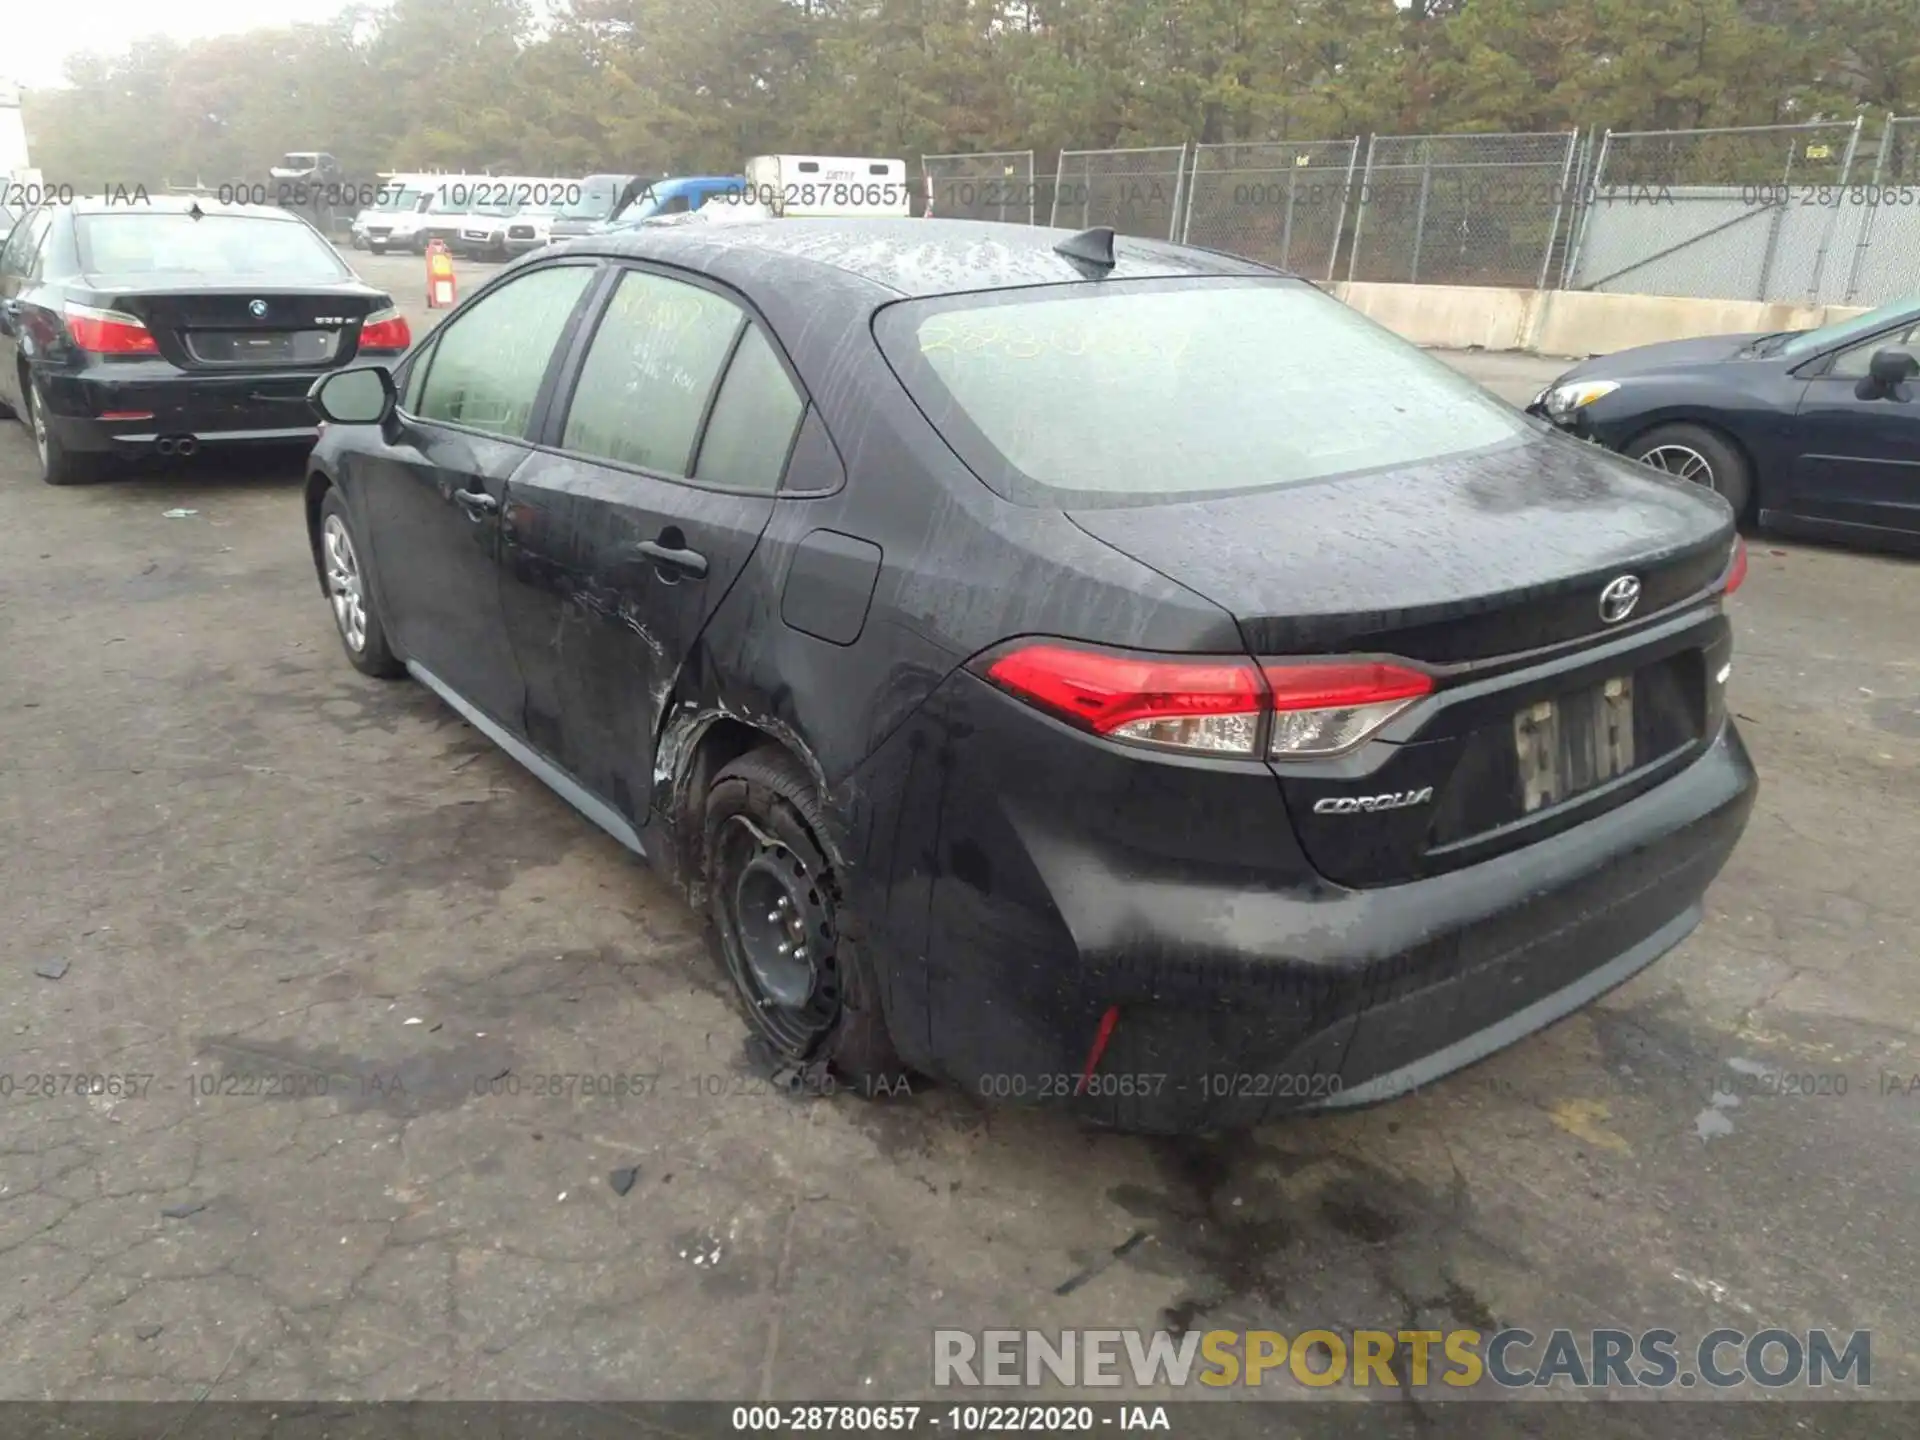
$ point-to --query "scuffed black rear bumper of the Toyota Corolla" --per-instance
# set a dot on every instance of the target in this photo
(1247, 992)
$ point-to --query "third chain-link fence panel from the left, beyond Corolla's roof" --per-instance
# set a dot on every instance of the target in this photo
(1278, 203)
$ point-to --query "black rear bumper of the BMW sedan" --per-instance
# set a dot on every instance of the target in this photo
(160, 402)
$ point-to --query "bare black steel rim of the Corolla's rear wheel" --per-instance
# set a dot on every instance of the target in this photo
(779, 938)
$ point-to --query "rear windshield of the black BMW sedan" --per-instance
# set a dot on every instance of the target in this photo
(141, 241)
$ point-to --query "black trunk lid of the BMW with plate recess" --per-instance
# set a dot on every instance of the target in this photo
(214, 327)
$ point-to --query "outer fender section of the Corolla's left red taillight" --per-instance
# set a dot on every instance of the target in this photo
(1184, 706)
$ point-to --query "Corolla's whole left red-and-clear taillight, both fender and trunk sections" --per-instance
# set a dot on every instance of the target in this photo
(1212, 706)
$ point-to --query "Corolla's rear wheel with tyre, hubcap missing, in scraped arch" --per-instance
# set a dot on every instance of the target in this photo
(788, 938)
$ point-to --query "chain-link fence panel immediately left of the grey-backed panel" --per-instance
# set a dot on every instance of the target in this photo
(1462, 208)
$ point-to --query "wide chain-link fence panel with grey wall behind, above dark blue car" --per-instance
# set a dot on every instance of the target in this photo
(1750, 214)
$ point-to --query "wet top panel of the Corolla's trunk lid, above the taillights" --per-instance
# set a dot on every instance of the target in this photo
(1460, 560)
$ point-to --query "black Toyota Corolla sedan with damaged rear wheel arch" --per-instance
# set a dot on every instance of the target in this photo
(1095, 673)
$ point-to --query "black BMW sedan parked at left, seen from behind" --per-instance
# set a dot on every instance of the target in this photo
(172, 325)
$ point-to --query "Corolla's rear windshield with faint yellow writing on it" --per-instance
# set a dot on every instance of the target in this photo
(1151, 391)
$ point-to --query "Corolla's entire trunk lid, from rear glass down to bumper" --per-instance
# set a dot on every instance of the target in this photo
(1470, 567)
